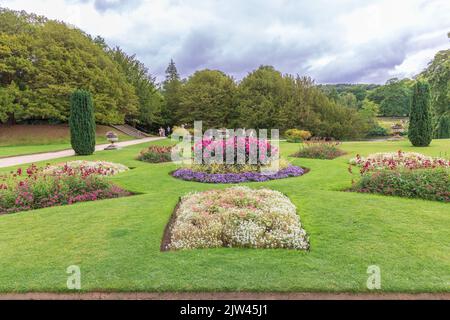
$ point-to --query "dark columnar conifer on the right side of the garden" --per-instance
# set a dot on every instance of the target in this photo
(420, 131)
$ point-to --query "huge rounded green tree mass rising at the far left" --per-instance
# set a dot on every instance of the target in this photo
(47, 60)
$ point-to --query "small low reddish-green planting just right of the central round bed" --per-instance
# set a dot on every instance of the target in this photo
(320, 150)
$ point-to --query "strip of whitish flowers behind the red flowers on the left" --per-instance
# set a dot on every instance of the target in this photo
(97, 167)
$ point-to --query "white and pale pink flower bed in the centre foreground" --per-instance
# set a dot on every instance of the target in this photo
(237, 217)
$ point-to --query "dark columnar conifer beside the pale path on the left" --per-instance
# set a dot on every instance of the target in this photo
(82, 123)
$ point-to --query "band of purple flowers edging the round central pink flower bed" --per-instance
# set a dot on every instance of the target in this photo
(189, 175)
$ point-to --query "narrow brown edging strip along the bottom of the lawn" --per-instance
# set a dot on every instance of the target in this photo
(222, 296)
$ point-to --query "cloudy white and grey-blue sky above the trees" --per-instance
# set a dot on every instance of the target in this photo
(340, 41)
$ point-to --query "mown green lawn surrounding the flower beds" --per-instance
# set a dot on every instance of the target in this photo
(116, 242)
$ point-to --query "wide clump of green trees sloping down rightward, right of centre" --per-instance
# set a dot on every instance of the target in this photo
(267, 99)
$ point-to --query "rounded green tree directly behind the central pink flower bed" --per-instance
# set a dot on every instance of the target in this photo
(208, 96)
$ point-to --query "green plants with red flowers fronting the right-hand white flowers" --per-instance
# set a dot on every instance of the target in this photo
(429, 184)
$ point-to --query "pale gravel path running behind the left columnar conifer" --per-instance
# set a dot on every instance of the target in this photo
(18, 160)
